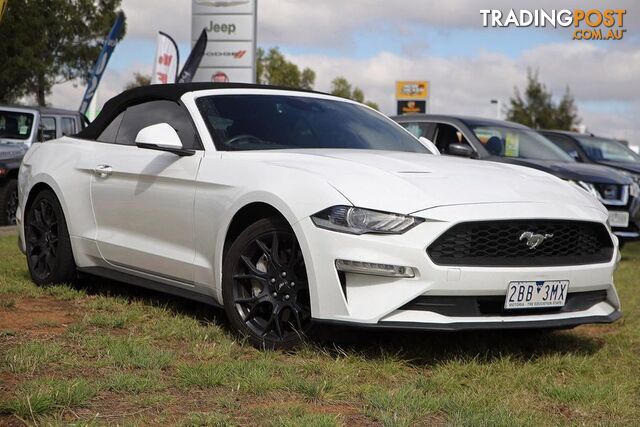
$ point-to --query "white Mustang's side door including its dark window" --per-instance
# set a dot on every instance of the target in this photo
(143, 199)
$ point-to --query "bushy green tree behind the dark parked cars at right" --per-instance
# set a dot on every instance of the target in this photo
(538, 110)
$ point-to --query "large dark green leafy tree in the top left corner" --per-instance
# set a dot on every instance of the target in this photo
(46, 42)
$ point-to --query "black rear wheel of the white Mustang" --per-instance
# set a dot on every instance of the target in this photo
(49, 255)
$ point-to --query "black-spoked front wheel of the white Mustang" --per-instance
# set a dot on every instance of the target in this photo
(265, 287)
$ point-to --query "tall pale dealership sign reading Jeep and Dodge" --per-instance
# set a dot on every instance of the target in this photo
(231, 33)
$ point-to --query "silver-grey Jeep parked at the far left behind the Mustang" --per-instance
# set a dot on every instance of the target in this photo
(19, 128)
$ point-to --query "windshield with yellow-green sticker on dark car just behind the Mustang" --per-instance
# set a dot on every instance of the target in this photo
(513, 142)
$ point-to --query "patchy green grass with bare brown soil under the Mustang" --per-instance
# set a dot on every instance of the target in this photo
(105, 353)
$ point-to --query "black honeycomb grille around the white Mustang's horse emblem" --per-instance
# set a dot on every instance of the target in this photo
(501, 244)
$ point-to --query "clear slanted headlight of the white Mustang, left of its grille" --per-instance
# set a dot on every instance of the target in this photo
(349, 219)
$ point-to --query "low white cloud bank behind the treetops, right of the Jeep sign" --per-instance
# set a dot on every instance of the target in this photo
(466, 85)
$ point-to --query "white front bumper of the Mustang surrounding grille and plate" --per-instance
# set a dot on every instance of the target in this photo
(367, 300)
